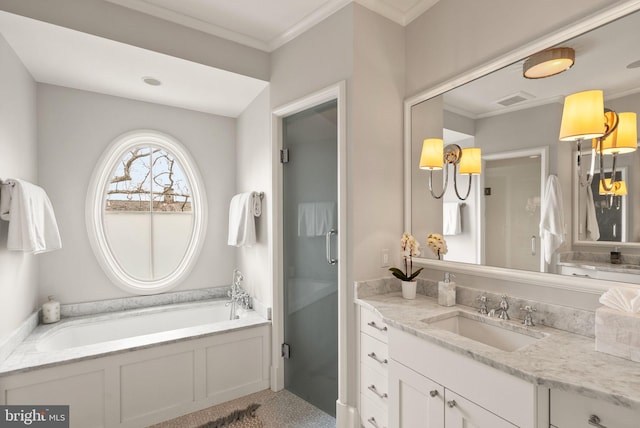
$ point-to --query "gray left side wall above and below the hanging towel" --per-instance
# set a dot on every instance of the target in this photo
(18, 271)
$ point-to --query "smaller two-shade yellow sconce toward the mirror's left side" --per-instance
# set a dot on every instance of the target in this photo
(435, 156)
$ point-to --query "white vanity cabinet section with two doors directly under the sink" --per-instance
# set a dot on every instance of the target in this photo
(430, 386)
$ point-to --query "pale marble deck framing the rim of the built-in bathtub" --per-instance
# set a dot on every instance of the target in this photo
(27, 356)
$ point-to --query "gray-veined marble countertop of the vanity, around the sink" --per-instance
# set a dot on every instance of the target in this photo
(558, 360)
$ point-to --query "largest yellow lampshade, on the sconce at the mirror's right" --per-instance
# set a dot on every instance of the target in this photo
(583, 116)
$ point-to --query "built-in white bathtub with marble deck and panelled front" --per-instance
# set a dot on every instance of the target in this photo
(110, 367)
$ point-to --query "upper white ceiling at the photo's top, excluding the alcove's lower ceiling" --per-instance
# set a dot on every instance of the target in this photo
(266, 24)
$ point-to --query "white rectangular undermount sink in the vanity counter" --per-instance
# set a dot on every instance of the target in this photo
(486, 330)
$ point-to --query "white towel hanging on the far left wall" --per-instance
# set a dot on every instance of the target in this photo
(32, 222)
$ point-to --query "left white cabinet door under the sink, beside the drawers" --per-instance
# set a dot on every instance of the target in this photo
(416, 401)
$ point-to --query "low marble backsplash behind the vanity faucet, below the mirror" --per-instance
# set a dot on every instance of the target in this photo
(573, 320)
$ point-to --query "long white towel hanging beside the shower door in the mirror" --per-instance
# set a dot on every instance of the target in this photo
(552, 229)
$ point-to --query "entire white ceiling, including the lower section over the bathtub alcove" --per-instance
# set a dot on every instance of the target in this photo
(64, 57)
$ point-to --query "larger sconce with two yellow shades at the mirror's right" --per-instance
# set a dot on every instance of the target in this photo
(585, 117)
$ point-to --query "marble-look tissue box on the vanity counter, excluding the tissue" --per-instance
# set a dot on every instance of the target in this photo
(618, 333)
